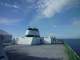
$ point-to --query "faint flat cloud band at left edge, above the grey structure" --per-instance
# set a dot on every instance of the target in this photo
(6, 21)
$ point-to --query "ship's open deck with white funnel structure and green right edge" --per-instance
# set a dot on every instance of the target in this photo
(34, 47)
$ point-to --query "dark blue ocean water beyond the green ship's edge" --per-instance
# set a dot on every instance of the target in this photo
(74, 44)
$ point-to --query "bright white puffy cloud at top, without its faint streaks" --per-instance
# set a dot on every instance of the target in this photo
(51, 7)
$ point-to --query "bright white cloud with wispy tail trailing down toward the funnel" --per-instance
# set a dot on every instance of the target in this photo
(48, 8)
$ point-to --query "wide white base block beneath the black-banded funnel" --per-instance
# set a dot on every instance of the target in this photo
(28, 40)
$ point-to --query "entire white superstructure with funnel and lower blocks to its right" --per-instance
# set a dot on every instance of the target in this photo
(32, 37)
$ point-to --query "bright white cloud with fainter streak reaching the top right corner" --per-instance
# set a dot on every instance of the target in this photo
(49, 8)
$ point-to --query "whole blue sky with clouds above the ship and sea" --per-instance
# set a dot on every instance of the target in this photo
(60, 18)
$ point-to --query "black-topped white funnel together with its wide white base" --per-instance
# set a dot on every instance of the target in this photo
(31, 37)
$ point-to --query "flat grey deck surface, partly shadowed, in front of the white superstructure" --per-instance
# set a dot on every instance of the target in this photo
(40, 52)
